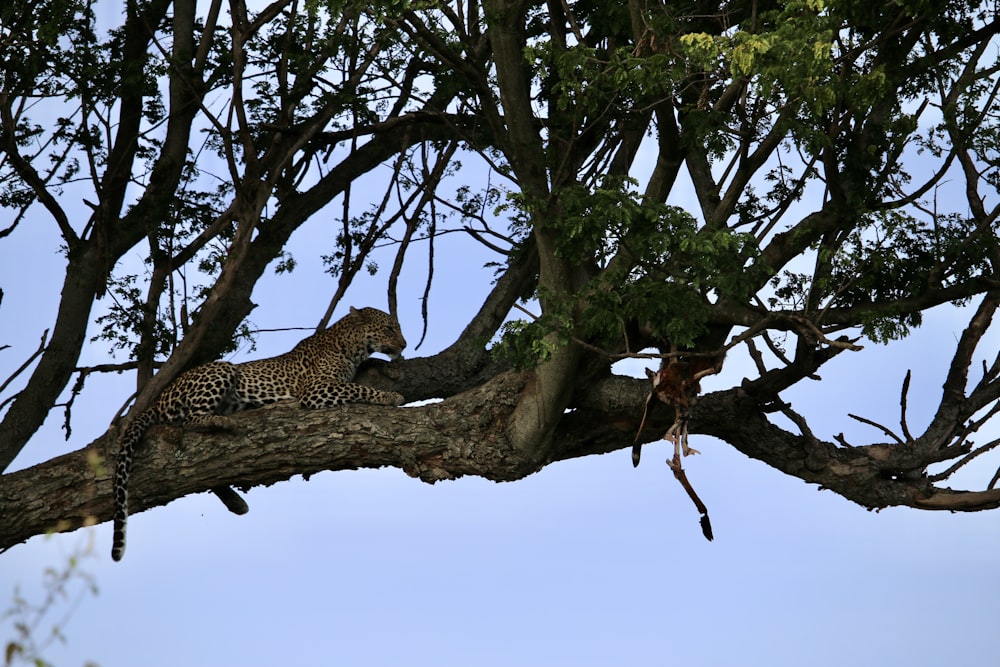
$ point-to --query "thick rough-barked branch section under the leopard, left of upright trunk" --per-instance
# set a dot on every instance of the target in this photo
(433, 442)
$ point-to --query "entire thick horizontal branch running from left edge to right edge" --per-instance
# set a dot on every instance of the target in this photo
(464, 435)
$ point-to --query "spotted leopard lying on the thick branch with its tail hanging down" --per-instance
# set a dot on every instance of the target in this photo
(317, 372)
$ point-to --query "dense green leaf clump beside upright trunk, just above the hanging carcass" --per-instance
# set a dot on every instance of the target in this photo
(658, 267)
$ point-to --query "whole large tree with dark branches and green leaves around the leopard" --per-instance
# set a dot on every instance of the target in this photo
(689, 183)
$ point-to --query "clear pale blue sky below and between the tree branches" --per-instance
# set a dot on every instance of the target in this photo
(588, 562)
